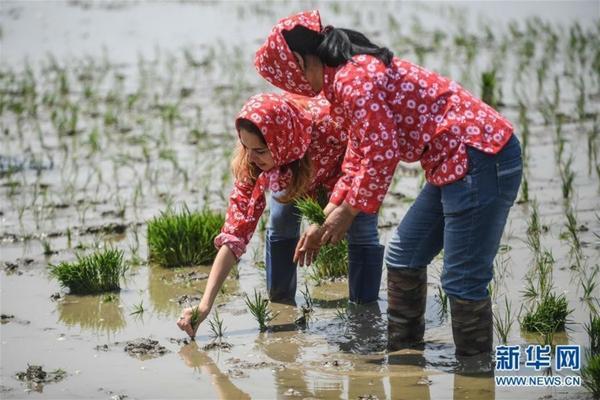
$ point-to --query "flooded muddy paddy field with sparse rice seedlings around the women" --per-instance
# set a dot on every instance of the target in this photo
(113, 112)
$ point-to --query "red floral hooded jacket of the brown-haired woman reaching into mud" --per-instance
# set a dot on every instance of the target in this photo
(291, 126)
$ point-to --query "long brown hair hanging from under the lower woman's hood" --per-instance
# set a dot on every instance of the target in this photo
(243, 169)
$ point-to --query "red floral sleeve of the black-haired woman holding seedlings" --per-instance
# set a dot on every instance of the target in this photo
(372, 153)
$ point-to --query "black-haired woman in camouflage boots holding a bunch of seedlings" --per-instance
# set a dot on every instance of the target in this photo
(392, 110)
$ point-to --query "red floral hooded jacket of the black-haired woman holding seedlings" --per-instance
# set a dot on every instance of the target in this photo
(390, 113)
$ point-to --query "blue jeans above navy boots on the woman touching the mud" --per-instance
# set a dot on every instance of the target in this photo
(284, 223)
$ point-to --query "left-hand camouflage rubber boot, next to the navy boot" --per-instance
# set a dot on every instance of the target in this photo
(407, 296)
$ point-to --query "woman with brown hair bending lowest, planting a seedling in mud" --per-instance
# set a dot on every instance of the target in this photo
(290, 145)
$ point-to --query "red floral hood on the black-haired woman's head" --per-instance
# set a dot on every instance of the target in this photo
(274, 60)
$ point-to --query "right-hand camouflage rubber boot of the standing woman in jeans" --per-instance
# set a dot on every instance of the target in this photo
(472, 327)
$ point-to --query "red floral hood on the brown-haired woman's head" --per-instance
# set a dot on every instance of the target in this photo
(285, 126)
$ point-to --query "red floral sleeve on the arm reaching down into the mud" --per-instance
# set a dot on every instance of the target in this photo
(246, 205)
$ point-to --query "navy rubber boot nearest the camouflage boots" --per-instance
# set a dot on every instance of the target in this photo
(364, 273)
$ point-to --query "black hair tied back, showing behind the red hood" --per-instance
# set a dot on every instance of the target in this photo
(334, 46)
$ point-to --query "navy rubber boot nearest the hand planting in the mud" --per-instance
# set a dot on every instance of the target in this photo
(281, 270)
